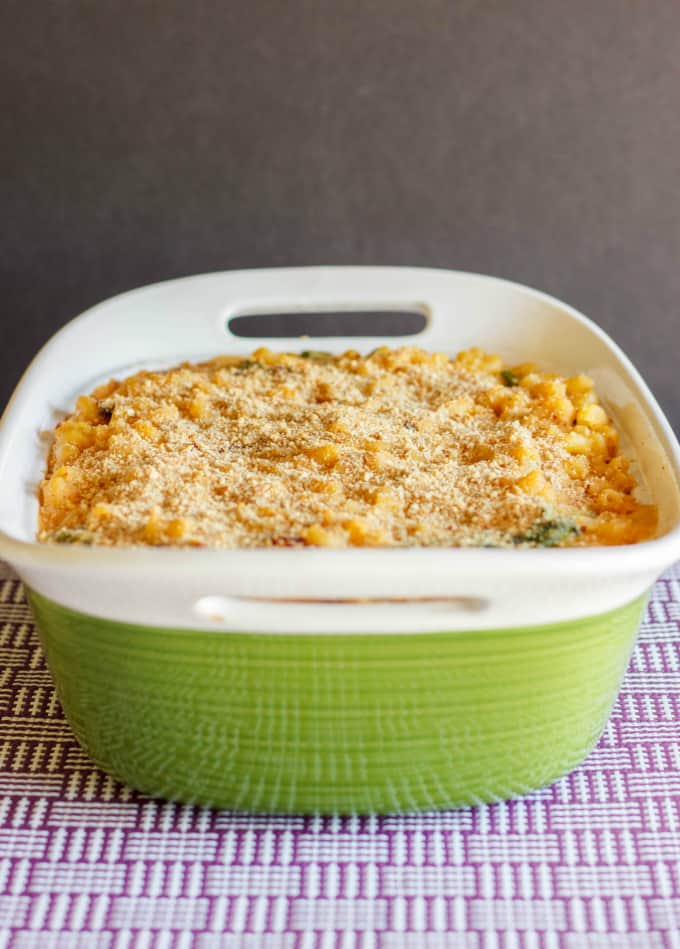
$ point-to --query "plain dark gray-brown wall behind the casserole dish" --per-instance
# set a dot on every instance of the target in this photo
(534, 140)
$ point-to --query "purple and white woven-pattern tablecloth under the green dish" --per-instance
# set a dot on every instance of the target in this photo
(593, 861)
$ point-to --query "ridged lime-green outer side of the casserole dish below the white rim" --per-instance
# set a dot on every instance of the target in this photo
(336, 723)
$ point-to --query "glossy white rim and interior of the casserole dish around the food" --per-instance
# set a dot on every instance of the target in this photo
(166, 323)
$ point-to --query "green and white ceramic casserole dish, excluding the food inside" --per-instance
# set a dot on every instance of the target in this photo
(334, 680)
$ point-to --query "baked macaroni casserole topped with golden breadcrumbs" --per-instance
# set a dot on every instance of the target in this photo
(398, 448)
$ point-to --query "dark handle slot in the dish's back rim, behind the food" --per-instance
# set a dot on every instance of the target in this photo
(320, 323)
